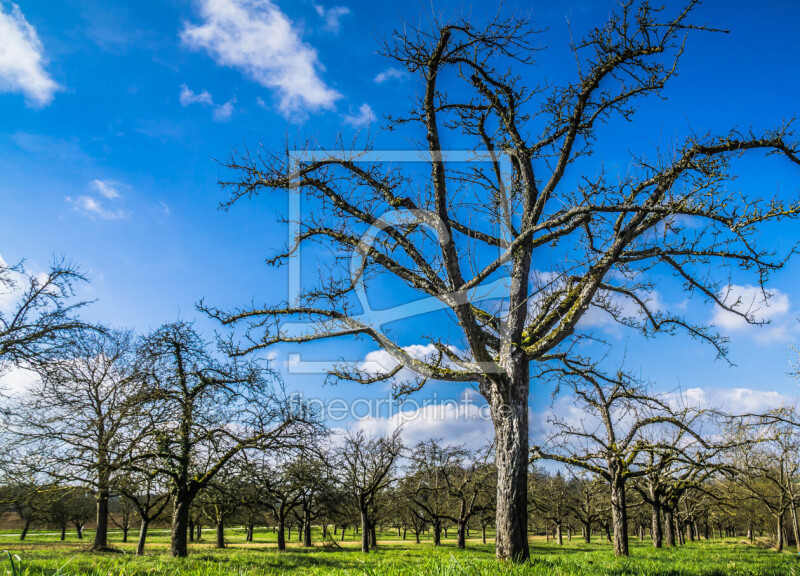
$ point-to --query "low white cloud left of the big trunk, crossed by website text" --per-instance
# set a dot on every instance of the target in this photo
(462, 421)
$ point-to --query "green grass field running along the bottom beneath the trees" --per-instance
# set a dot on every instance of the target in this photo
(43, 554)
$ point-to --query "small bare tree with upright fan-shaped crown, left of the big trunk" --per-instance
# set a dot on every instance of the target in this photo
(366, 465)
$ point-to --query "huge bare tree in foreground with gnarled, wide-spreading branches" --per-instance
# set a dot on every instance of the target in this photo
(461, 233)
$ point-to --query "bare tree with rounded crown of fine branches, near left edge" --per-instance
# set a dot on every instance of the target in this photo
(81, 421)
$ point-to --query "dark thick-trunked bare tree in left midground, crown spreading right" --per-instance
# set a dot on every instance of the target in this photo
(216, 410)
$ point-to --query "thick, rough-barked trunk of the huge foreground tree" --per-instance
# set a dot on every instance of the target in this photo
(510, 419)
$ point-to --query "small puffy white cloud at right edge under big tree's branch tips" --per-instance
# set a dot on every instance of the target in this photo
(770, 305)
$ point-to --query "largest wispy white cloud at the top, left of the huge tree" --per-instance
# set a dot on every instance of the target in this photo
(254, 36)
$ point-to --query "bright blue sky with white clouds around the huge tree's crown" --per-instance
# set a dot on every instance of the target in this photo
(112, 115)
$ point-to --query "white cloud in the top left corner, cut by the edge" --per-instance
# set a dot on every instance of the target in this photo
(22, 58)
